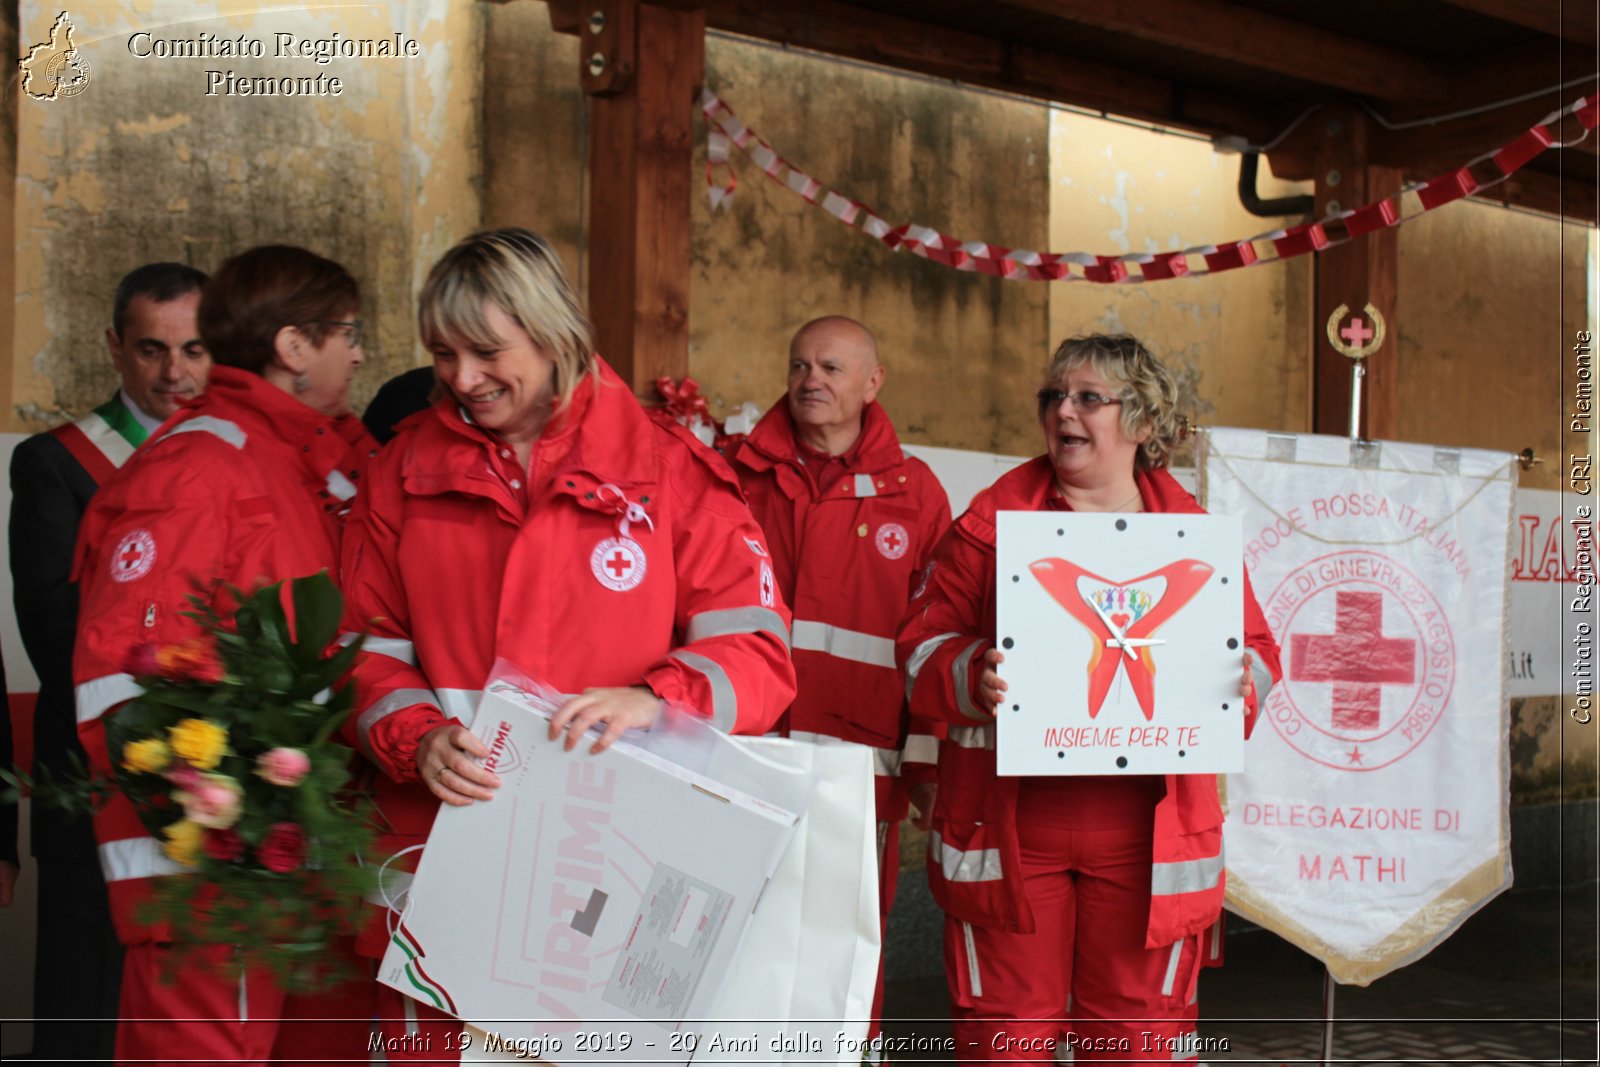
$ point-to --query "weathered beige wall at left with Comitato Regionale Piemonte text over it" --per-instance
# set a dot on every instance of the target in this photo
(145, 166)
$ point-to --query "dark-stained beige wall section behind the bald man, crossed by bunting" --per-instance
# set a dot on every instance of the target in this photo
(961, 350)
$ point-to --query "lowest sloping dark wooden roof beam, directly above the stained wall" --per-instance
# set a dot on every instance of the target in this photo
(906, 44)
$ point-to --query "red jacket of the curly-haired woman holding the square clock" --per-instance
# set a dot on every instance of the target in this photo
(974, 849)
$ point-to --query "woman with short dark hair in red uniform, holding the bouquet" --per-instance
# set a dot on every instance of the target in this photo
(244, 487)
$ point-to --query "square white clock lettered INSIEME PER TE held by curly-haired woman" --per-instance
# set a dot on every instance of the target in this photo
(1122, 639)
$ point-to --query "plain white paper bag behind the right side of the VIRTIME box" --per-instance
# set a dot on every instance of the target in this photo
(801, 986)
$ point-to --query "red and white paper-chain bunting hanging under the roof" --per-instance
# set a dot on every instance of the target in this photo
(1130, 268)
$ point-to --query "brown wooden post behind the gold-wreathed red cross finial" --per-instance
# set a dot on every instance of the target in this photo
(1356, 274)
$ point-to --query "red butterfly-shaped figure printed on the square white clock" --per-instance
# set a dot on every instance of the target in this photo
(1060, 580)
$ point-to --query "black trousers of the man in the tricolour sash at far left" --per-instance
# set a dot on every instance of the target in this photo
(78, 965)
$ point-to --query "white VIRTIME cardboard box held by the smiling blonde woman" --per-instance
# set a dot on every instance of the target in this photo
(594, 908)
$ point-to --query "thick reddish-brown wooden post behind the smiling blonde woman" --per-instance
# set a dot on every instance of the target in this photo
(642, 66)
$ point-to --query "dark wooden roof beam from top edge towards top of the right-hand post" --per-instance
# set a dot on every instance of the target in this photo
(1260, 41)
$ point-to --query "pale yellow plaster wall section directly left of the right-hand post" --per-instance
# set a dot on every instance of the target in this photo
(1239, 342)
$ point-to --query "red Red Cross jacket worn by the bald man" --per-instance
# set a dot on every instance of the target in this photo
(849, 559)
